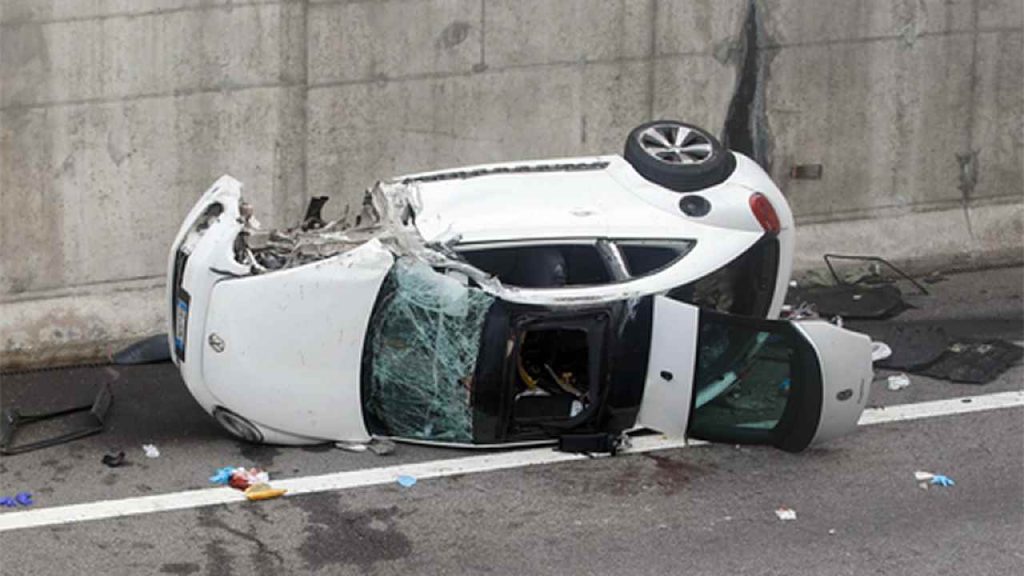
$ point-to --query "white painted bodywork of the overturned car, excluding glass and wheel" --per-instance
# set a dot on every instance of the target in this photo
(283, 352)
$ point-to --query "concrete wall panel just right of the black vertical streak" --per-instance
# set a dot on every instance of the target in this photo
(886, 120)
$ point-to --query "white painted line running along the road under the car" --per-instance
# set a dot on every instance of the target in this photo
(440, 469)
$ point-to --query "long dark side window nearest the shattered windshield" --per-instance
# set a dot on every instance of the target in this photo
(545, 266)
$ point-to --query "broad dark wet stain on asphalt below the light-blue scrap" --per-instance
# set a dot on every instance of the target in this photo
(335, 537)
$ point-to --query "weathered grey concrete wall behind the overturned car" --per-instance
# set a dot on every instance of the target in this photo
(116, 114)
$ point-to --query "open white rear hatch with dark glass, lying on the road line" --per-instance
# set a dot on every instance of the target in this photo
(746, 381)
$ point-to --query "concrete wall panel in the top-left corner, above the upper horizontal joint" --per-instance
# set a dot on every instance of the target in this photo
(182, 52)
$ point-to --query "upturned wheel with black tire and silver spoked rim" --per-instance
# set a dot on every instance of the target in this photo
(684, 169)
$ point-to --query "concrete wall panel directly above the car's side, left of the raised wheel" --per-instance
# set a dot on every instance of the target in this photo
(364, 133)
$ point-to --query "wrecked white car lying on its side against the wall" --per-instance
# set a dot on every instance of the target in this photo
(517, 303)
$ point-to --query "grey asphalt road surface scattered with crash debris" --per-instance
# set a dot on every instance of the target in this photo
(706, 510)
